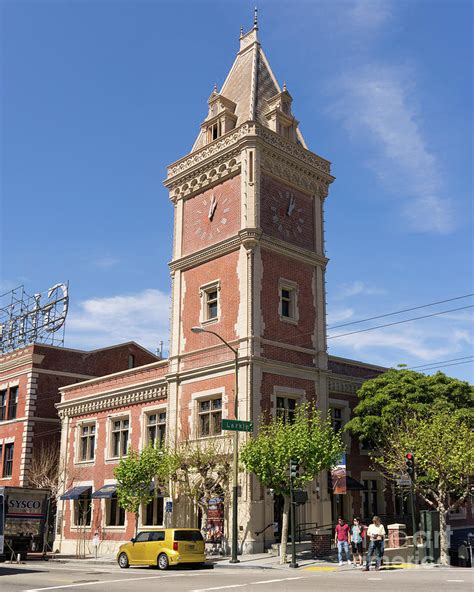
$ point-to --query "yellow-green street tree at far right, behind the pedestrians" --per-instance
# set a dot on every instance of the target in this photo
(442, 444)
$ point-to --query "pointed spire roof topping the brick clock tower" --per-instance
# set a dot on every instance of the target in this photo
(249, 84)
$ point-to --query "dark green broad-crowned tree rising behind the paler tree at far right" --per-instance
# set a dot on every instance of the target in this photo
(398, 394)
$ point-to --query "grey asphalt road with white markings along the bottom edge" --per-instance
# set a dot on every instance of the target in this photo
(36, 577)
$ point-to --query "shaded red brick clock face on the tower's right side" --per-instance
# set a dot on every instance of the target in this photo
(297, 228)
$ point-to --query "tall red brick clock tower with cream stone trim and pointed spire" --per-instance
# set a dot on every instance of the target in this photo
(248, 264)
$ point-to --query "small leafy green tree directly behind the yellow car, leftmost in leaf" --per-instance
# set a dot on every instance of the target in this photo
(135, 474)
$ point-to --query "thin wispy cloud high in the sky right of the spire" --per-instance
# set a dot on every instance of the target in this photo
(376, 103)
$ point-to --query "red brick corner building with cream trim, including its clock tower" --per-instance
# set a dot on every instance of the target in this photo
(248, 264)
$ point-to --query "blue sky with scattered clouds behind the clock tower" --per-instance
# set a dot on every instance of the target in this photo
(98, 97)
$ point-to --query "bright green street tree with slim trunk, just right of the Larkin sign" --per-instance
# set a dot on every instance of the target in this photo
(309, 440)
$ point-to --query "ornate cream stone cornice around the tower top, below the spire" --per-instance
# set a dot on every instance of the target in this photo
(196, 167)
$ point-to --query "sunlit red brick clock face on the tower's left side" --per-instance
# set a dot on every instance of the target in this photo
(199, 231)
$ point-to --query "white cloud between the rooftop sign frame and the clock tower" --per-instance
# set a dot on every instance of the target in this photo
(100, 322)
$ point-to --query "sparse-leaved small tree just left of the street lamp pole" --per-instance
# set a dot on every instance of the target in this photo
(203, 471)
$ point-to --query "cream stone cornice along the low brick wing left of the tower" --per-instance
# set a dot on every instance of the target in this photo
(96, 403)
